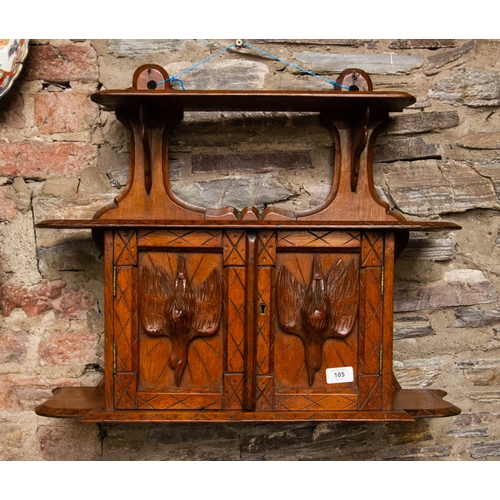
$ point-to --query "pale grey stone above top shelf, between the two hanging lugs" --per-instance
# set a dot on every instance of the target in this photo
(221, 74)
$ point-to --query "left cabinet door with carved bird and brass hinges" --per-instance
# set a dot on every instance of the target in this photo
(169, 329)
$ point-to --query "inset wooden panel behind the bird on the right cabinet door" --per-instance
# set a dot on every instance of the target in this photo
(317, 302)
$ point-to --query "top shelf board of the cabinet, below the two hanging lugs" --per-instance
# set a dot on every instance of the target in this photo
(254, 100)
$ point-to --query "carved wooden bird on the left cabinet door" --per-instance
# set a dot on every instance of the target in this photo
(170, 308)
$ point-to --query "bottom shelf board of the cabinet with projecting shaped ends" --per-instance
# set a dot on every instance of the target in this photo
(87, 405)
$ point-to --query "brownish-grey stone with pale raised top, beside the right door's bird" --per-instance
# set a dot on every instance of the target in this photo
(458, 288)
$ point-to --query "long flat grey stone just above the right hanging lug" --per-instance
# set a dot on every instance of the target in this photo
(371, 63)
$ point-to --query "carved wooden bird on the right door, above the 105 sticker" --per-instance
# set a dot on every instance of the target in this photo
(326, 309)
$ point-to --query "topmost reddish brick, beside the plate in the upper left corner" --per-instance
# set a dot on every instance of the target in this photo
(62, 64)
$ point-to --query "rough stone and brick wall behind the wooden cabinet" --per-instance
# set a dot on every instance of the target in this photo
(62, 157)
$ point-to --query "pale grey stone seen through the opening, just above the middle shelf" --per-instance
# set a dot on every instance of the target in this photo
(239, 192)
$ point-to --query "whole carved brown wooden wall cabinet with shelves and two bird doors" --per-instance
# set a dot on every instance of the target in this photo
(225, 315)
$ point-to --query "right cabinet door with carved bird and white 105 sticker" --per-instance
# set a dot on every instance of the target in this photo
(328, 341)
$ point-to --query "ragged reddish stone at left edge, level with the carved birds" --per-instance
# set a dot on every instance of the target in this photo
(34, 300)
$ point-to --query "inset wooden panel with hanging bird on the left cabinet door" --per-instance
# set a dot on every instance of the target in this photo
(181, 334)
